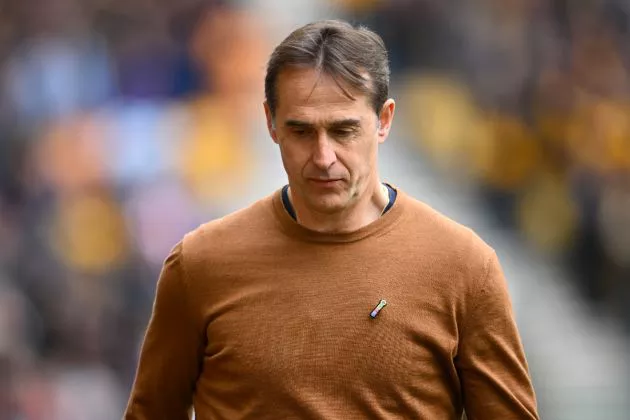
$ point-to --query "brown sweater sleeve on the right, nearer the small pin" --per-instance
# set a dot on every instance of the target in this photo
(491, 361)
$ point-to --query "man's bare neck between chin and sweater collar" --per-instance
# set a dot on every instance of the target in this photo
(368, 208)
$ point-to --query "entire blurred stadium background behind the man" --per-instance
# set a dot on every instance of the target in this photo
(126, 123)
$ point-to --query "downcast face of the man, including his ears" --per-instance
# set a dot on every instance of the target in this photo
(328, 142)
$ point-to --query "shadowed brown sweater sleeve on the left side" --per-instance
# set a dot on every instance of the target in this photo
(171, 352)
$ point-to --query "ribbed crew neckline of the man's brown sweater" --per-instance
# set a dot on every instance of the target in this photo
(294, 229)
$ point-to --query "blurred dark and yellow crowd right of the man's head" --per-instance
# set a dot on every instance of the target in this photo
(527, 102)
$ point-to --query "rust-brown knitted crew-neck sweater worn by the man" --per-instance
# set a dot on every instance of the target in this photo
(256, 317)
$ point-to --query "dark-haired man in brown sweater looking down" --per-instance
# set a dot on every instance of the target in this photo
(338, 297)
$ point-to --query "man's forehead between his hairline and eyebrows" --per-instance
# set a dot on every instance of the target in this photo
(305, 93)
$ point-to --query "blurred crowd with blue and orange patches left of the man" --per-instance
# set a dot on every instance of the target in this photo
(123, 125)
